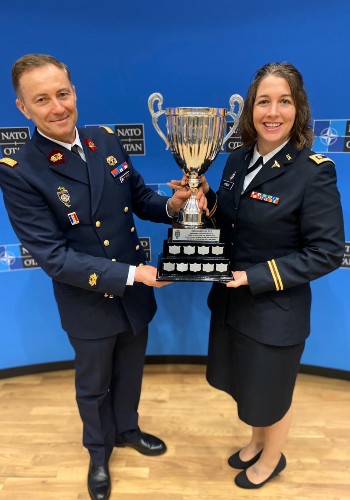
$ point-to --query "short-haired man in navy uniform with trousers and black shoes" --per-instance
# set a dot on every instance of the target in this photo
(70, 194)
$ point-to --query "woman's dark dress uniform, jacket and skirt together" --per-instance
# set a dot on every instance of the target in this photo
(284, 230)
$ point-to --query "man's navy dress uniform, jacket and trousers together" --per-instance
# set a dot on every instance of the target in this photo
(76, 219)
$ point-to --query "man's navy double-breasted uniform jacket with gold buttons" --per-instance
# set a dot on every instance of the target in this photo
(89, 260)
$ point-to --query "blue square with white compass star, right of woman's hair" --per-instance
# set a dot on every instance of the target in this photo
(332, 136)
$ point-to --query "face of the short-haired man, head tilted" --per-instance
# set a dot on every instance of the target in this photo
(48, 99)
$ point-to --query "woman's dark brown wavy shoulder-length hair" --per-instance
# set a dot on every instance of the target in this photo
(301, 134)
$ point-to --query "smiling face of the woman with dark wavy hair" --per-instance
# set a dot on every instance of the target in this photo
(273, 113)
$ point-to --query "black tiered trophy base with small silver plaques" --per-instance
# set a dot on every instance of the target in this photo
(194, 260)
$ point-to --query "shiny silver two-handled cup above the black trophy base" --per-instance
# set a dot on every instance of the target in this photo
(195, 137)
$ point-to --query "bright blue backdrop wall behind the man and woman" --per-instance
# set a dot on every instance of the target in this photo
(196, 53)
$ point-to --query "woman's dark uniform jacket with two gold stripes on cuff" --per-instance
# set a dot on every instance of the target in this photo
(285, 230)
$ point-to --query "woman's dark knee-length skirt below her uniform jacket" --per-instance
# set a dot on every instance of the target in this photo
(260, 377)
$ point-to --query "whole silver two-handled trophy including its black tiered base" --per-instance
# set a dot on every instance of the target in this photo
(193, 250)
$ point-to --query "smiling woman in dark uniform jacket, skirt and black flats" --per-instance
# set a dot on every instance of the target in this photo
(279, 208)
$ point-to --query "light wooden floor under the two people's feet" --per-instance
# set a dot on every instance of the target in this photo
(41, 456)
